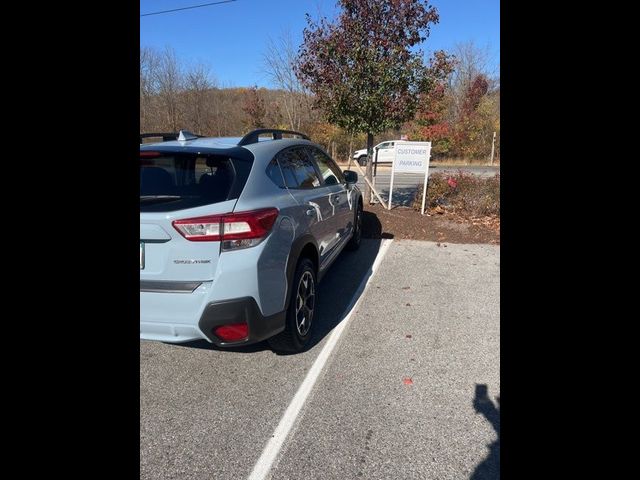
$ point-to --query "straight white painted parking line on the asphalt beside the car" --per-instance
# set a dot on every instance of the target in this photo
(273, 447)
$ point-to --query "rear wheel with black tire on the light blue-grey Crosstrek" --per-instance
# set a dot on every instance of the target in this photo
(300, 312)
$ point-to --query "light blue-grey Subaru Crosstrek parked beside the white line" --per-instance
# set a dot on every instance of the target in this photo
(235, 234)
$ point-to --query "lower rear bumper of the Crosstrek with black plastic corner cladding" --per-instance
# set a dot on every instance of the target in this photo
(223, 312)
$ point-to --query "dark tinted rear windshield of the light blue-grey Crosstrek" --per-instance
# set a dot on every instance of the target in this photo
(177, 181)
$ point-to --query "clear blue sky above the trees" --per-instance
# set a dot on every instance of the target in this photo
(230, 37)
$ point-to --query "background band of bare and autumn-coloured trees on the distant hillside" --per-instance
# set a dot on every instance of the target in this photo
(459, 115)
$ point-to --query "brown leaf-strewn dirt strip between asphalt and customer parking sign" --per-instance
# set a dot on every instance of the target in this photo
(406, 223)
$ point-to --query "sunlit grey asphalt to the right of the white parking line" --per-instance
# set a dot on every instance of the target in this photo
(397, 400)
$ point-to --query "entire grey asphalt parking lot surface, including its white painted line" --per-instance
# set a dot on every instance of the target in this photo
(409, 389)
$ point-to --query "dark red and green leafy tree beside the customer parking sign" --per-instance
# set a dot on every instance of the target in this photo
(364, 69)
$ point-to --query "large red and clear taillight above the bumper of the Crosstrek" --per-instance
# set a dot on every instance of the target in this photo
(234, 230)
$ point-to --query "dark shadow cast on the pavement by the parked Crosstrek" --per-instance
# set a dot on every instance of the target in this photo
(336, 291)
